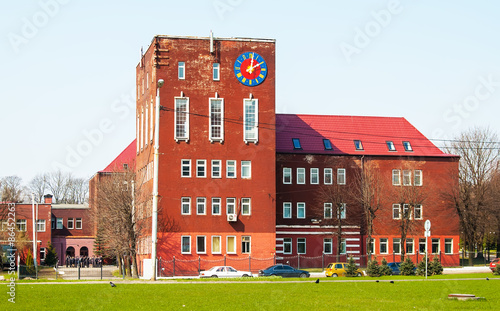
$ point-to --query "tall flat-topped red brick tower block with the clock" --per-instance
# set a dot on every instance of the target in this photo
(216, 145)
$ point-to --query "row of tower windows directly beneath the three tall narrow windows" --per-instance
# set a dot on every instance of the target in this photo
(216, 169)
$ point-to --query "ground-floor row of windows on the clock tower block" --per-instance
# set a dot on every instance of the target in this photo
(215, 246)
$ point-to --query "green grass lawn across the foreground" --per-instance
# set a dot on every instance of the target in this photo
(341, 293)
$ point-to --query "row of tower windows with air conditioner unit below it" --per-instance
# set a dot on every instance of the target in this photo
(216, 206)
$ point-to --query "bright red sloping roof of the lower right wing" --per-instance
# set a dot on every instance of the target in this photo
(373, 132)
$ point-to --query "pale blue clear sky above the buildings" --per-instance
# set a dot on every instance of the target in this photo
(68, 67)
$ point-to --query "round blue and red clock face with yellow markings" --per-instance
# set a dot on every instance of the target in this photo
(250, 69)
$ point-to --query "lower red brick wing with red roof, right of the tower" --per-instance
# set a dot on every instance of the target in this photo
(319, 214)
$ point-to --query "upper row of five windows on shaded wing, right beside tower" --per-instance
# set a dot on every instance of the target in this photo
(314, 176)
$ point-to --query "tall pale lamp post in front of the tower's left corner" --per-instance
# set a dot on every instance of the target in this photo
(154, 216)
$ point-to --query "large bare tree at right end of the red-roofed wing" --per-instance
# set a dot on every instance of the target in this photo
(478, 151)
